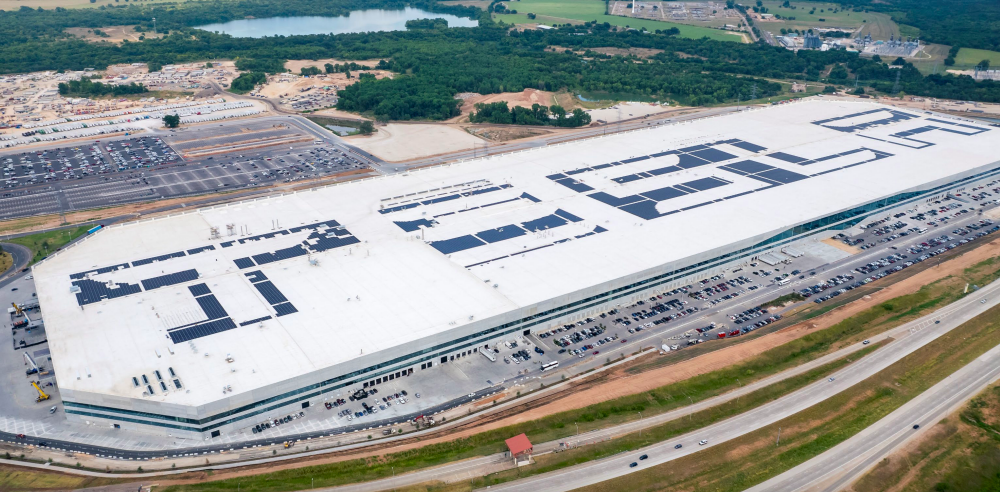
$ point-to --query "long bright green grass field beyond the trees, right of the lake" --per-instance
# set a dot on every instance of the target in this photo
(577, 11)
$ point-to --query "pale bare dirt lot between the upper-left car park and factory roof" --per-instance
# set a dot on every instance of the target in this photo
(397, 142)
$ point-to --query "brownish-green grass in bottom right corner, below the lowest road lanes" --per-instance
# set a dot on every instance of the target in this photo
(961, 453)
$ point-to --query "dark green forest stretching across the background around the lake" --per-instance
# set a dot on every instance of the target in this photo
(435, 64)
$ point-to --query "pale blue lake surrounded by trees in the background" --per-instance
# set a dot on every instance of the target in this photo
(357, 21)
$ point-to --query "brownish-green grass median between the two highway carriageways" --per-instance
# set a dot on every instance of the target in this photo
(755, 458)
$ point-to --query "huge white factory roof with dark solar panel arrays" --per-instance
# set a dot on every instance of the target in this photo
(500, 233)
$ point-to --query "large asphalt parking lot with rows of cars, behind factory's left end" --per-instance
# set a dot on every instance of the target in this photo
(194, 160)
